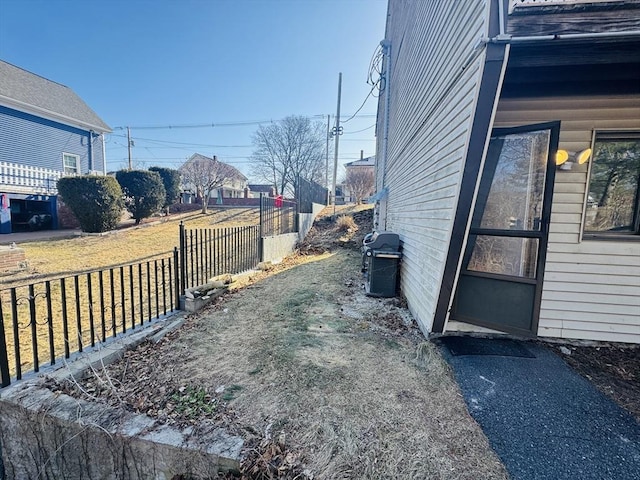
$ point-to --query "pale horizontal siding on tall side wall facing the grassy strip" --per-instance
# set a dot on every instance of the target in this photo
(430, 115)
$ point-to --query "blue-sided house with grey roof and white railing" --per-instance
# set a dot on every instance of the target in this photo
(46, 132)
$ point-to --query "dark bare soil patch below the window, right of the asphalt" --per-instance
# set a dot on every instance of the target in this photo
(613, 369)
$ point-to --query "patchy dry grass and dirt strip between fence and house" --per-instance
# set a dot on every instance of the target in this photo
(320, 380)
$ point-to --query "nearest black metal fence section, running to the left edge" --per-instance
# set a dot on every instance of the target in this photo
(43, 322)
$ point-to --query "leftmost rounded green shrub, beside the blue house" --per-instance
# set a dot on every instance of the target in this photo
(95, 201)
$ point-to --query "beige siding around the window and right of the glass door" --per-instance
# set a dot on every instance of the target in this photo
(591, 288)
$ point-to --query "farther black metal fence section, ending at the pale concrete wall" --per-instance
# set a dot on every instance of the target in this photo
(206, 253)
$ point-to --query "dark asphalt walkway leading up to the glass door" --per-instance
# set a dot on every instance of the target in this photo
(542, 419)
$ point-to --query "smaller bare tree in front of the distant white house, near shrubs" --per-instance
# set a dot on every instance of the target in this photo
(206, 175)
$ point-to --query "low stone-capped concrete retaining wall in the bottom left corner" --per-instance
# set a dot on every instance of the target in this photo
(52, 435)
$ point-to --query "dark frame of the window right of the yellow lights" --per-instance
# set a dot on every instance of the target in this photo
(611, 235)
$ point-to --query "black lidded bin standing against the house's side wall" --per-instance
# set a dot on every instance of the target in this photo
(380, 260)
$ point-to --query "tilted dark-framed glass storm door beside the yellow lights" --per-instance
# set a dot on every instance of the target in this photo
(500, 283)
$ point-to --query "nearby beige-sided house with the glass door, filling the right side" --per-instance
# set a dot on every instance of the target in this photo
(509, 164)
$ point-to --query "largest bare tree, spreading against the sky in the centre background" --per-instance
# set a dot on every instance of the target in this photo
(287, 149)
